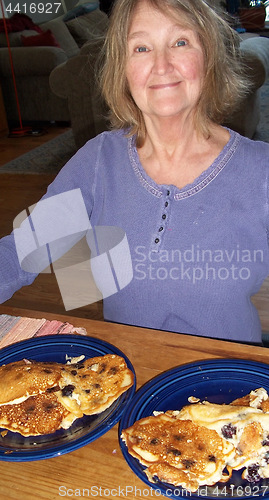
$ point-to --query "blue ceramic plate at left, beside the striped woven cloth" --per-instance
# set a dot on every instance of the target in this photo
(13, 446)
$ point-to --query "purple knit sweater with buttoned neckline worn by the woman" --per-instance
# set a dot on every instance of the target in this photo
(198, 253)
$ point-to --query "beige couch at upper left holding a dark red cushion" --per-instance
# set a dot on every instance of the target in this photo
(33, 65)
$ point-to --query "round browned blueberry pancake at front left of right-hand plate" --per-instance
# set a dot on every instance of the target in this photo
(178, 451)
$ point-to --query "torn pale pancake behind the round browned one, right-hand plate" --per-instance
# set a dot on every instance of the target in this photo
(244, 423)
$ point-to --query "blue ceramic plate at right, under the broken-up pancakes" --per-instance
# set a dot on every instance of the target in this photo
(218, 381)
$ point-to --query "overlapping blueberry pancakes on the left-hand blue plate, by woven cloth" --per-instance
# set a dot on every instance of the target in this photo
(42, 397)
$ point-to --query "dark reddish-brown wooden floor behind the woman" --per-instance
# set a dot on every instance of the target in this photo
(20, 191)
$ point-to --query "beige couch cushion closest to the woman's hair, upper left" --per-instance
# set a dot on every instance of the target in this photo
(88, 27)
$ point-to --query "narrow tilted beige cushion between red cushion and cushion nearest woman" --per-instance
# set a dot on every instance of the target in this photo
(62, 35)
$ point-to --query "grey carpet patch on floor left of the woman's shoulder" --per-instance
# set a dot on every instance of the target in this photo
(48, 158)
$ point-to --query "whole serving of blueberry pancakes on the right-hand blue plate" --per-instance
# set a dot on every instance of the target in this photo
(194, 446)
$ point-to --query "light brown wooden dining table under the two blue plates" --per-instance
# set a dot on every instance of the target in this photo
(99, 470)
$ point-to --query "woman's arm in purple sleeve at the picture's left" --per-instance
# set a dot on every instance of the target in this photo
(45, 231)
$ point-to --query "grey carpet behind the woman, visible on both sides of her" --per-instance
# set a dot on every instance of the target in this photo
(52, 156)
